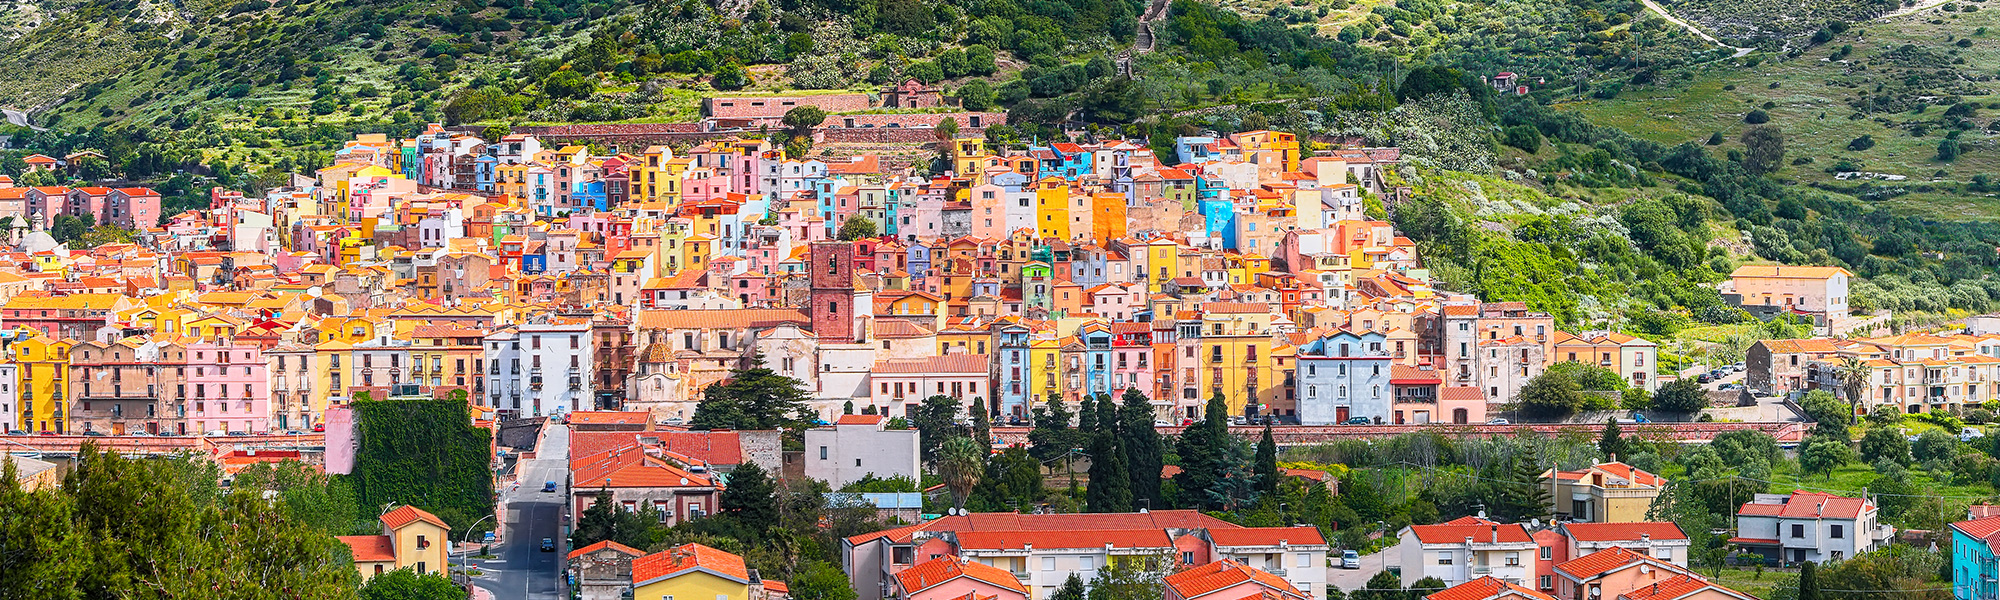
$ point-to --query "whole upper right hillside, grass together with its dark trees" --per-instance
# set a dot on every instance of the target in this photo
(1907, 85)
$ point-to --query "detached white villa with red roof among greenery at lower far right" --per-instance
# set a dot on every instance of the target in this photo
(1809, 527)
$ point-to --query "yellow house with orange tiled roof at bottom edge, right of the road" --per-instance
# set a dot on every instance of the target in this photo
(697, 573)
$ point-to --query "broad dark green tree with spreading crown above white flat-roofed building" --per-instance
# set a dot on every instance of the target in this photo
(753, 399)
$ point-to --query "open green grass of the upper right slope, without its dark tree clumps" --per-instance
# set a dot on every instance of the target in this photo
(1813, 113)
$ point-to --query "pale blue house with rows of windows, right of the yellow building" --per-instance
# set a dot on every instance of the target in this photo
(1343, 377)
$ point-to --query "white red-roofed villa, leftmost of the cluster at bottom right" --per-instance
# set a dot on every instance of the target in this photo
(1467, 547)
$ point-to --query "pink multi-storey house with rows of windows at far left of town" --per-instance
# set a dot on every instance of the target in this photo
(229, 387)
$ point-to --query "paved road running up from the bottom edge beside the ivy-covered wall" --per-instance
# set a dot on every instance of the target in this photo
(523, 571)
